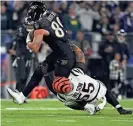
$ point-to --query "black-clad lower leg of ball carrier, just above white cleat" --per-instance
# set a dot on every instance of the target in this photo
(35, 79)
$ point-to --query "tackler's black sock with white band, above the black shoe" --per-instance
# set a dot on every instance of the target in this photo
(111, 99)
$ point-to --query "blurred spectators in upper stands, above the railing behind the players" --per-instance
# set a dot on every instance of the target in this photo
(97, 16)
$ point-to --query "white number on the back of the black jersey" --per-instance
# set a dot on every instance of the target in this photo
(57, 27)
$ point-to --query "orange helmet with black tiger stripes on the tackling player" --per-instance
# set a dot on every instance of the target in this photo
(62, 85)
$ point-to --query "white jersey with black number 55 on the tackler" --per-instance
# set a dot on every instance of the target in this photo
(84, 87)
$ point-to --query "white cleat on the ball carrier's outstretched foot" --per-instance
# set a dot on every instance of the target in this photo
(18, 97)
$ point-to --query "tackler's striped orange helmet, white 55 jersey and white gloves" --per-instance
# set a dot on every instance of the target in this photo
(81, 90)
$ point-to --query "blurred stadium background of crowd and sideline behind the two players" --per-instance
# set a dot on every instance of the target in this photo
(93, 26)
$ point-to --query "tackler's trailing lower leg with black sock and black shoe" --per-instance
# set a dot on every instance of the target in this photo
(111, 99)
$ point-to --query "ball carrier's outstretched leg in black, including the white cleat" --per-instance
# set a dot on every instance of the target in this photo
(42, 69)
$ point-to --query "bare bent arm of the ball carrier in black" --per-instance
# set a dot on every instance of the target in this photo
(37, 40)
